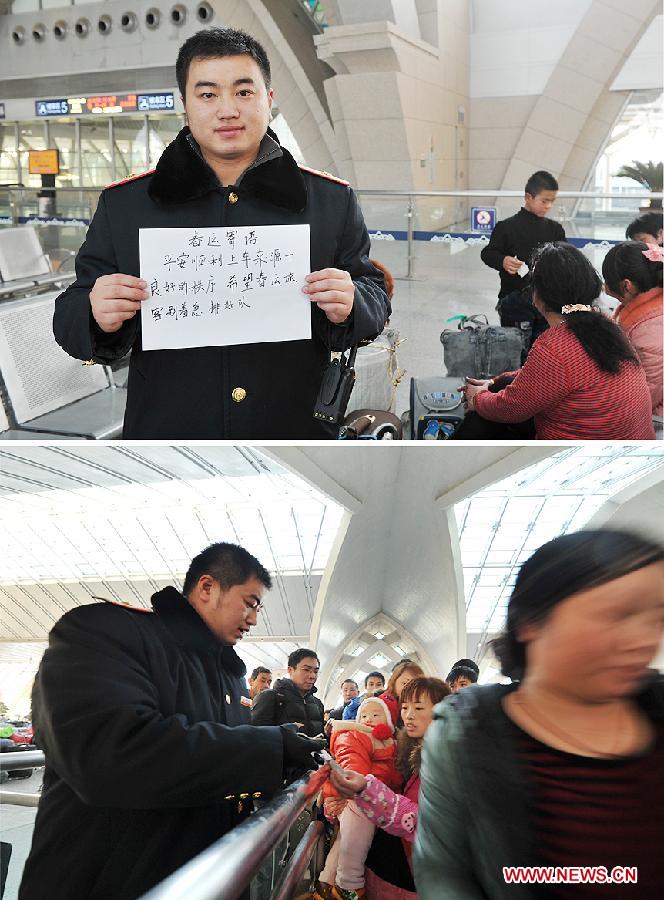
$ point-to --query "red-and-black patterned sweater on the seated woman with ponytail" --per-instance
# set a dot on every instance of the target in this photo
(570, 397)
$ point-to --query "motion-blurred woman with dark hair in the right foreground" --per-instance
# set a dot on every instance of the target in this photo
(565, 766)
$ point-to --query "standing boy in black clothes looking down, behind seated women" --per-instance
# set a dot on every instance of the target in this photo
(511, 244)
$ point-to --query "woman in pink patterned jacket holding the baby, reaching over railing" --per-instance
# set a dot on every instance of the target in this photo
(396, 813)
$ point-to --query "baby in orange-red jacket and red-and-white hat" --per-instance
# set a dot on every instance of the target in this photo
(367, 746)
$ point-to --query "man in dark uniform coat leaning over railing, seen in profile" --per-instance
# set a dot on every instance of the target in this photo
(145, 722)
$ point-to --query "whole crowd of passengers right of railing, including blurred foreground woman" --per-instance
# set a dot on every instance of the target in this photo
(554, 768)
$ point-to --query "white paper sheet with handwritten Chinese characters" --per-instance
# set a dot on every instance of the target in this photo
(212, 287)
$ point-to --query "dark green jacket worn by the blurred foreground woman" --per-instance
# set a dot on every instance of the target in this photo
(475, 814)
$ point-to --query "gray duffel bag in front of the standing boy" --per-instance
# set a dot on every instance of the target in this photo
(478, 350)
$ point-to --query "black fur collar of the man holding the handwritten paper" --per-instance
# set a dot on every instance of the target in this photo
(182, 175)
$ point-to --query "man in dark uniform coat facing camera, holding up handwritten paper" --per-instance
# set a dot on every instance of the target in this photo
(225, 169)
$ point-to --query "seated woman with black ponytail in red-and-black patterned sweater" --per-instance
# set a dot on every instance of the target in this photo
(582, 379)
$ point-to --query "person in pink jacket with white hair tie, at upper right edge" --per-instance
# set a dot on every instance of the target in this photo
(633, 274)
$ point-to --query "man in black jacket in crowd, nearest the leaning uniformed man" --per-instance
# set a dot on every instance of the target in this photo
(292, 700)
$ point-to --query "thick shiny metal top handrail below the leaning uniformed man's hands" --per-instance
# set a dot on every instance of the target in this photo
(226, 868)
